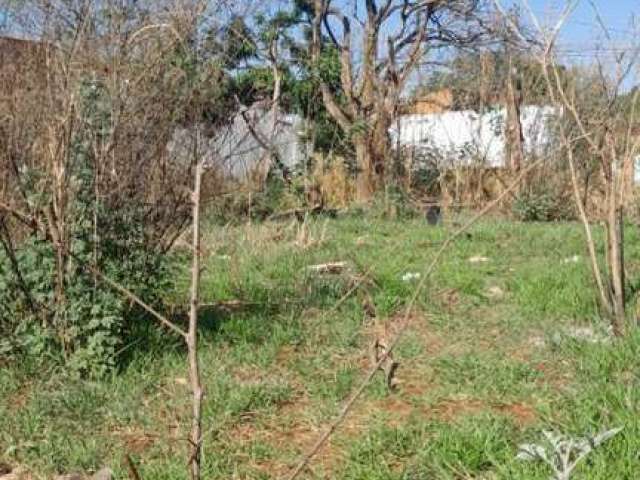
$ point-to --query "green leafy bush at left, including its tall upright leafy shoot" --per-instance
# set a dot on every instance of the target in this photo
(85, 325)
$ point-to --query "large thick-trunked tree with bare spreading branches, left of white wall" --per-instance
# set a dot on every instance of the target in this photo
(380, 45)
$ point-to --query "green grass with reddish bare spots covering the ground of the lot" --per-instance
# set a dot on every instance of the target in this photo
(478, 375)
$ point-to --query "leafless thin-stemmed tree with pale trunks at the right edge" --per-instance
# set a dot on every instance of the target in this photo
(606, 124)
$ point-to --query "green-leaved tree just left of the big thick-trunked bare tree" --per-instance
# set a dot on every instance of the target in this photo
(281, 77)
